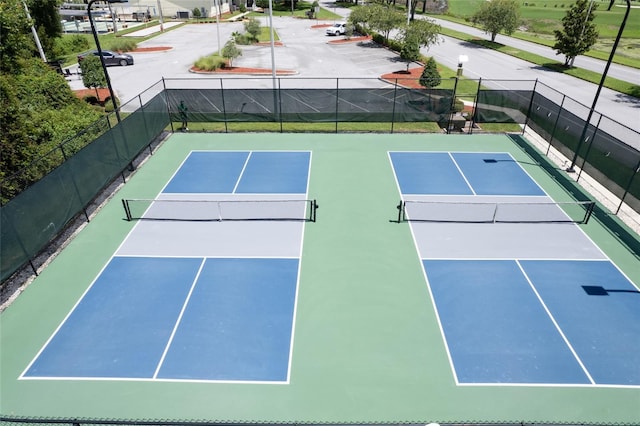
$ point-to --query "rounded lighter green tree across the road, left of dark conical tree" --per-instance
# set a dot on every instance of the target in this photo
(498, 15)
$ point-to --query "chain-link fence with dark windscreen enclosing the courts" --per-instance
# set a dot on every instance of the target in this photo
(56, 188)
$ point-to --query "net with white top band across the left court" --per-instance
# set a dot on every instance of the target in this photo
(219, 210)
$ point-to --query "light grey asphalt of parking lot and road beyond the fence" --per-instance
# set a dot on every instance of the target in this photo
(306, 50)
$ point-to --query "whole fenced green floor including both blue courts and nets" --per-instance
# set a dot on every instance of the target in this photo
(217, 292)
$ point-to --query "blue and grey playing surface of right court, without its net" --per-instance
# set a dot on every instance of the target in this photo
(518, 303)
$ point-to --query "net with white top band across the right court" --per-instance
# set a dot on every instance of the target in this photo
(495, 212)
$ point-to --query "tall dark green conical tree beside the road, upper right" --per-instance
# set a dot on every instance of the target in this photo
(579, 32)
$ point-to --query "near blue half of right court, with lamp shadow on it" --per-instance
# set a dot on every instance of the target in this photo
(531, 321)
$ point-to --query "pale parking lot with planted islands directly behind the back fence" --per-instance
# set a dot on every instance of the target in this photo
(305, 49)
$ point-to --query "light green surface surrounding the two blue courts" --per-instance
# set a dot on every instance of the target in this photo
(367, 346)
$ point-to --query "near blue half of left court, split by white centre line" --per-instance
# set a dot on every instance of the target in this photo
(179, 318)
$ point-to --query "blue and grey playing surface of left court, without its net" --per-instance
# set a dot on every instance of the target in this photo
(202, 301)
